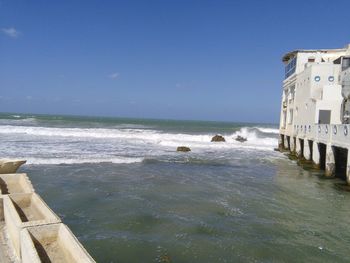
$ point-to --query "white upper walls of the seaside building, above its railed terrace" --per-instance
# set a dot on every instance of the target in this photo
(311, 91)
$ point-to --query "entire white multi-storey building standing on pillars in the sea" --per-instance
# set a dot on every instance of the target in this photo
(315, 108)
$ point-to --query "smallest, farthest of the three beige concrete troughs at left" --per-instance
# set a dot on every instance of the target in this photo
(15, 184)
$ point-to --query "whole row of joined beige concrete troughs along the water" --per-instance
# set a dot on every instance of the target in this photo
(29, 230)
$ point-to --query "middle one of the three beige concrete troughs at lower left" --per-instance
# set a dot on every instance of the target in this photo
(24, 210)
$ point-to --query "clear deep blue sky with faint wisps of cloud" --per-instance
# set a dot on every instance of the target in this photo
(206, 60)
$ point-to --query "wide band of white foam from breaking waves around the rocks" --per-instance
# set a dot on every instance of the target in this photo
(47, 145)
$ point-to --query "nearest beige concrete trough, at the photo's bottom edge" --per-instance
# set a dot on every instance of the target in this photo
(51, 243)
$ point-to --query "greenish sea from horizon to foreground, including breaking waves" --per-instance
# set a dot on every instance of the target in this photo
(128, 196)
